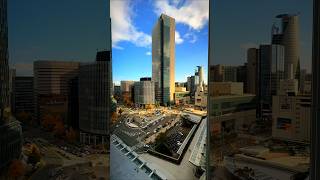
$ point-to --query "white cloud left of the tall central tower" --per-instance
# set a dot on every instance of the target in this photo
(123, 28)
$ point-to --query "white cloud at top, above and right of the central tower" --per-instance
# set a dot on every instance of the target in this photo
(194, 13)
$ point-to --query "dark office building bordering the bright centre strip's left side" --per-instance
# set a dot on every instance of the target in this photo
(95, 99)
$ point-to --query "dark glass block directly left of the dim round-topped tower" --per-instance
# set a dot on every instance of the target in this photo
(271, 71)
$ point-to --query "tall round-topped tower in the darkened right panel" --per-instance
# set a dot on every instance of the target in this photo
(289, 38)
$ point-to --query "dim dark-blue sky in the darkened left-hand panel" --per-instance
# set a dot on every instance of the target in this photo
(54, 30)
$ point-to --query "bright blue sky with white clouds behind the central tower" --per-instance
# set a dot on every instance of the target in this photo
(132, 24)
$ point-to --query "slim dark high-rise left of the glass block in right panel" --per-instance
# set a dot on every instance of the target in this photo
(252, 70)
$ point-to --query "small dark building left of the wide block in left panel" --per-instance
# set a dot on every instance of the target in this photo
(23, 100)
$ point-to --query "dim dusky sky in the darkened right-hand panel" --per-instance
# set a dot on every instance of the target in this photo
(248, 23)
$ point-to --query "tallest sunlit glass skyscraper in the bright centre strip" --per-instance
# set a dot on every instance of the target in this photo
(163, 59)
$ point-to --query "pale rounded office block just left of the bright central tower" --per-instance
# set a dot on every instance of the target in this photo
(144, 93)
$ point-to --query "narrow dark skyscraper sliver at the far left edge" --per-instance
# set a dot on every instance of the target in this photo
(4, 67)
